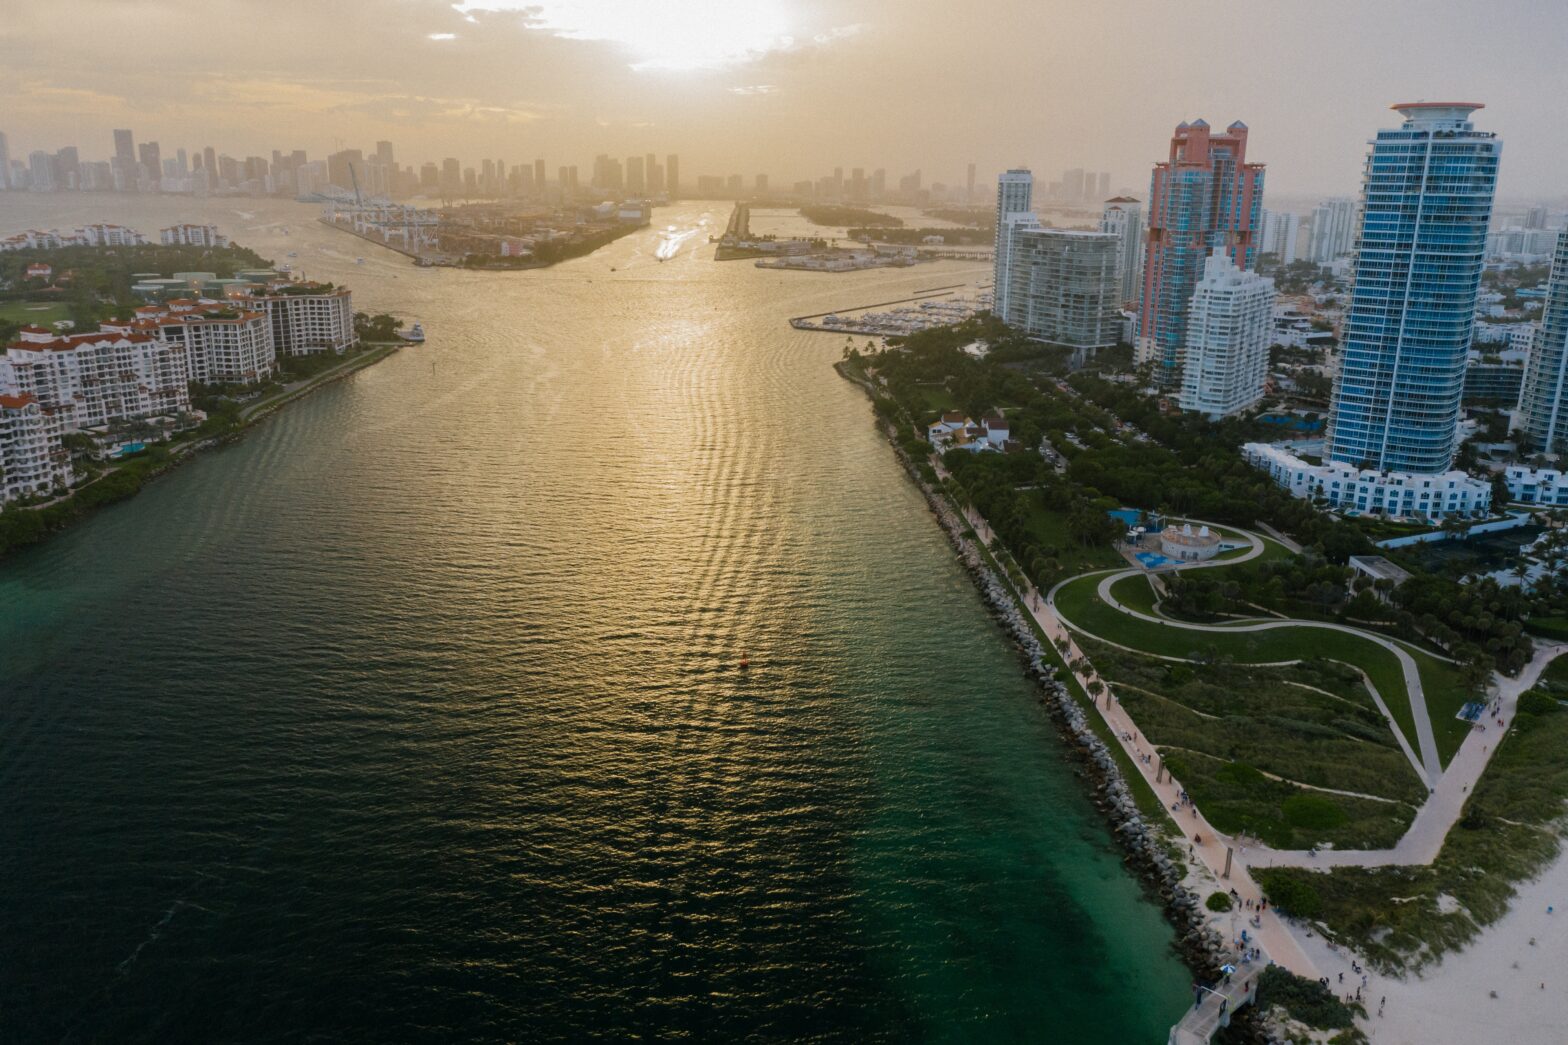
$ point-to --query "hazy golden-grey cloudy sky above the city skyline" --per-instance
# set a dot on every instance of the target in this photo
(791, 89)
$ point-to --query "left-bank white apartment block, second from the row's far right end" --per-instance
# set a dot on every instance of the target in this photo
(222, 343)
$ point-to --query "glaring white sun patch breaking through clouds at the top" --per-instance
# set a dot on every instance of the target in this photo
(670, 35)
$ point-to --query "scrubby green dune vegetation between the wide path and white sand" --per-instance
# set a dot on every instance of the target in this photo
(1509, 832)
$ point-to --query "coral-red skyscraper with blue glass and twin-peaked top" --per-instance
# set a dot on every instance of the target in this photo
(1203, 197)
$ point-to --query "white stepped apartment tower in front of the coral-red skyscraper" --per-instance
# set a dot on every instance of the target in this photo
(1230, 327)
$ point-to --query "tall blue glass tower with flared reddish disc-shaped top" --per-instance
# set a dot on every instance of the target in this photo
(1426, 203)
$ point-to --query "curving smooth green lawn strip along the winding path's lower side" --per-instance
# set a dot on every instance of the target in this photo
(1080, 603)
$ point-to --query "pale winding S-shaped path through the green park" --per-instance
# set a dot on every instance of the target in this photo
(1431, 768)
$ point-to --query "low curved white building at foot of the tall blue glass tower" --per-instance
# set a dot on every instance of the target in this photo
(1368, 492)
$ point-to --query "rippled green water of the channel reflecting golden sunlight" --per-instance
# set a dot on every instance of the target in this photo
(416, 715)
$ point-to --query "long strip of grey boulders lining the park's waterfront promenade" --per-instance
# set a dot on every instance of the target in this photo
(1202, 949)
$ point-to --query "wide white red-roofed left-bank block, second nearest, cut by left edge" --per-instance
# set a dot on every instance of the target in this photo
(96, 379)
